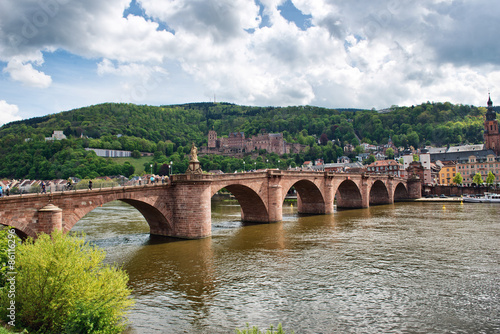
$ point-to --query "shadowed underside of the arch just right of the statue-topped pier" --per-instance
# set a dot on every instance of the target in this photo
(253, 208)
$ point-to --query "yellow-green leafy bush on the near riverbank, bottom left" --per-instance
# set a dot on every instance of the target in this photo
(62, 286)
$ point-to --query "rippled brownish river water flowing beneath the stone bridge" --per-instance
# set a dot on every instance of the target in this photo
(402, 268)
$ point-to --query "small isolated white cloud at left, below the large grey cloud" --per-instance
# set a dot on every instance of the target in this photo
(23, 71)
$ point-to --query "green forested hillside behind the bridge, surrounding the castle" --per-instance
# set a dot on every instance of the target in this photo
(169, 130)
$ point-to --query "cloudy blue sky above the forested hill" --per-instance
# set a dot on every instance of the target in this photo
(56, 55)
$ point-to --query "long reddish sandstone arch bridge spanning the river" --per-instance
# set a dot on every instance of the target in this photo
(182, 208)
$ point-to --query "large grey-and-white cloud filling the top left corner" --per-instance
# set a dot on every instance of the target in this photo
(91, 29)
